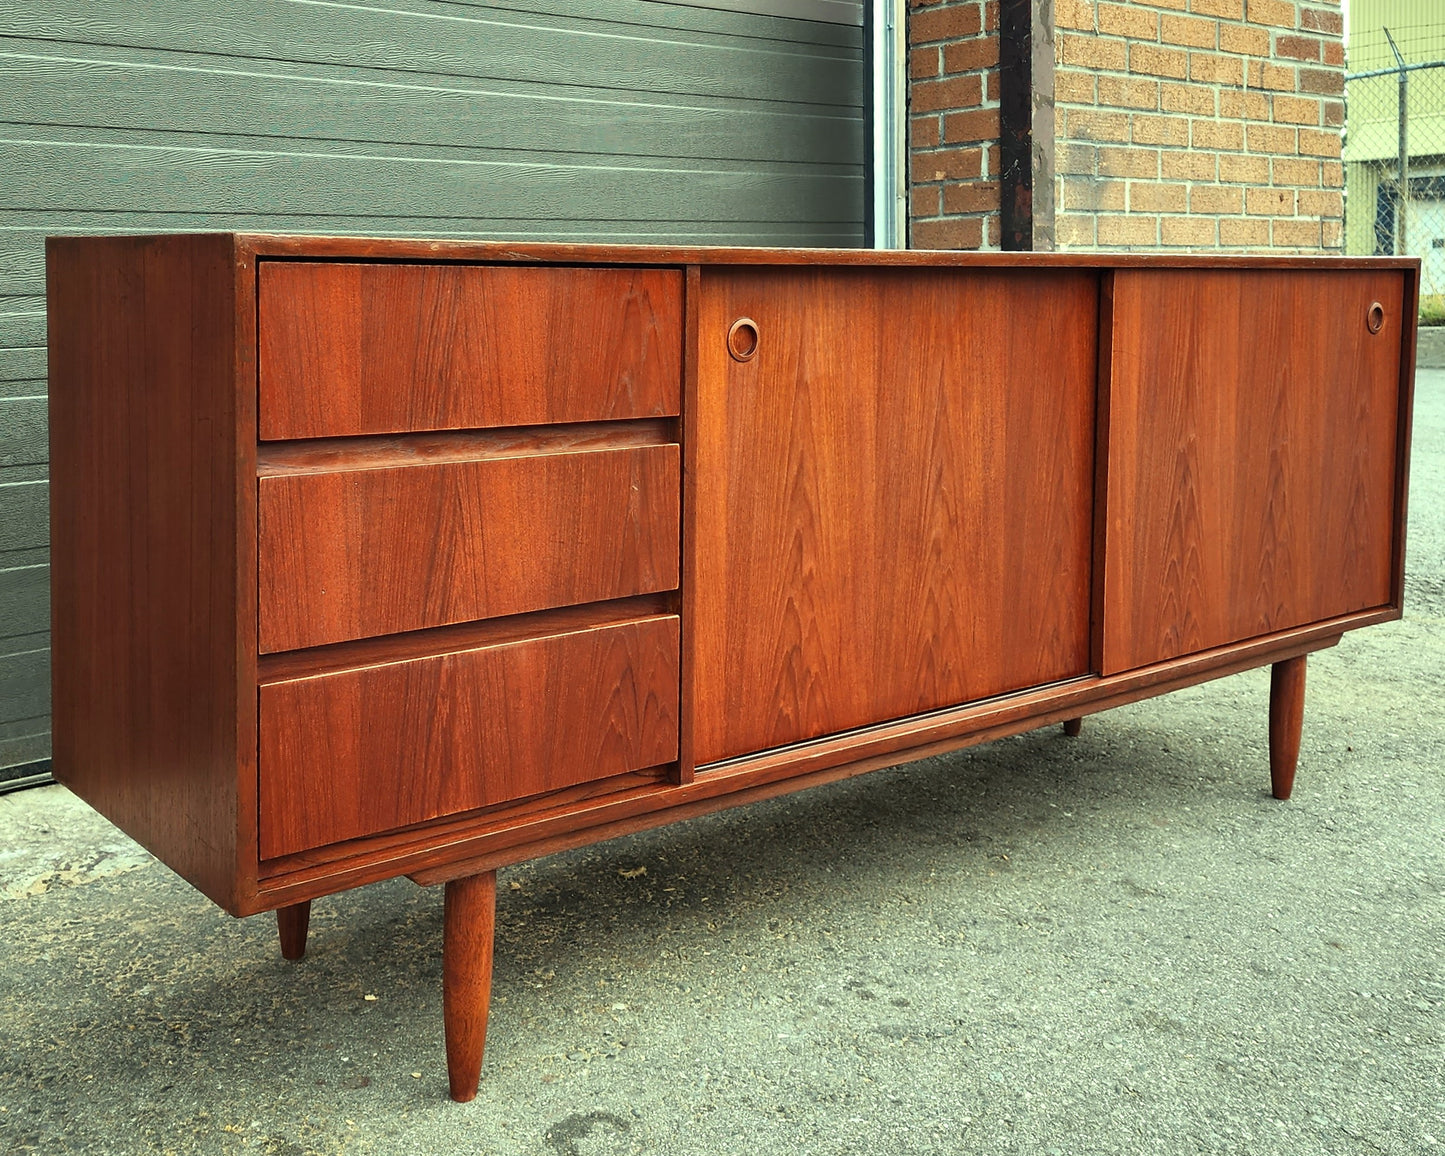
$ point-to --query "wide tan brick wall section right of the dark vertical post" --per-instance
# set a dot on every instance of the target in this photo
(1200, 125)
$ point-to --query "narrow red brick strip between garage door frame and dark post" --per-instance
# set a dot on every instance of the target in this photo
(953, 124)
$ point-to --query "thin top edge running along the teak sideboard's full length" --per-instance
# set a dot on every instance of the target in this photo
(282, 246)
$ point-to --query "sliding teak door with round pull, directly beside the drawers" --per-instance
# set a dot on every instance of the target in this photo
(868, 545)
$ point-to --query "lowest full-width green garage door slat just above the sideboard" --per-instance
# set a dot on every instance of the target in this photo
(115, 177)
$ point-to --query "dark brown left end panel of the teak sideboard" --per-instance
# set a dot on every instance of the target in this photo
(145, 543)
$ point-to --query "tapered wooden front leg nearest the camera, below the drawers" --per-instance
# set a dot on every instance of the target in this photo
(469, 924)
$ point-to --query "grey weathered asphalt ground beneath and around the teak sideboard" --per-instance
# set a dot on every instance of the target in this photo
(1047, 946)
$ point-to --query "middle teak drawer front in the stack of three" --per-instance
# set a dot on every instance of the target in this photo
(362, 553)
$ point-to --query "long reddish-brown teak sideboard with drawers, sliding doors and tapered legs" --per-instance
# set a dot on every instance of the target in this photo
(379, 558)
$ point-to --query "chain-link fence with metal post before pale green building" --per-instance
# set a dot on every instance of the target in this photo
(1395, 155)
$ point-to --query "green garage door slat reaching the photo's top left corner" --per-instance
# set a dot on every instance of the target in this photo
(447, 40)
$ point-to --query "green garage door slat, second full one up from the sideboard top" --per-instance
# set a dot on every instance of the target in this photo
(105, 90)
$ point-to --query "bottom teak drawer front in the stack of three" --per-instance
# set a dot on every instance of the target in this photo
(366, 751)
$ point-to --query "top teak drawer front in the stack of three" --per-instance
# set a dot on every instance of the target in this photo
(382, 349)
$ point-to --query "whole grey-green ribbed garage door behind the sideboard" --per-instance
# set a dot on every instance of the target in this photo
(602, 121)
